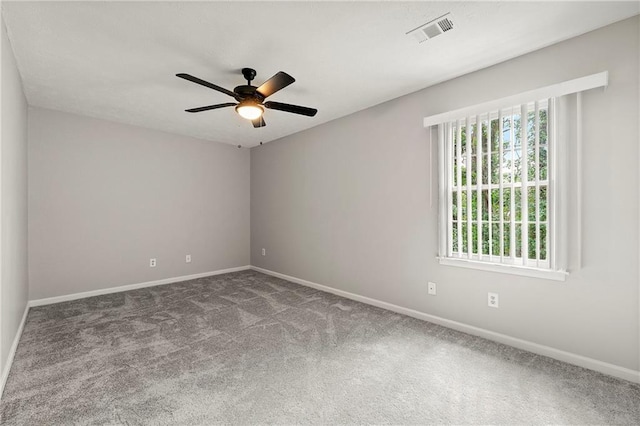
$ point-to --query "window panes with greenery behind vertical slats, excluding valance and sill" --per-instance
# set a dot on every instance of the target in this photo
(498, 186)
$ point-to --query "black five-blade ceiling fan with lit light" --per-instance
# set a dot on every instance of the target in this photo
(250, 98)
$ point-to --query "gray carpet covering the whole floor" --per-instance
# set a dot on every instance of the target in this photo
(247, 348)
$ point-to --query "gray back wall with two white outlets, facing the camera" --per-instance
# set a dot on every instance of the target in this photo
(104, 198)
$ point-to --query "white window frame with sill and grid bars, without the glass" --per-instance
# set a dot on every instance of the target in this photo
(490, 262)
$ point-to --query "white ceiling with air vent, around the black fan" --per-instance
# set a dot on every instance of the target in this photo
(118, 60)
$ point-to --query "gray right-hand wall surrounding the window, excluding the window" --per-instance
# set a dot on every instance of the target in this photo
(347, 205)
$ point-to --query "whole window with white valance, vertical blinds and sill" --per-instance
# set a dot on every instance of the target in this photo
(504, 177)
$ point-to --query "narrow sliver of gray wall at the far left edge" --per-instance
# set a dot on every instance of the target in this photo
(13, 201)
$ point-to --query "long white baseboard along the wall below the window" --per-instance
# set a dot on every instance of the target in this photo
(568, 357)
